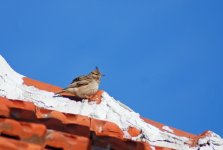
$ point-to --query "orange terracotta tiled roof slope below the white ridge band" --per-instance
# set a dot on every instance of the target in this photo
(53, 129)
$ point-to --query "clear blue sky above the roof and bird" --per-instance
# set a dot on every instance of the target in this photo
(163, 58)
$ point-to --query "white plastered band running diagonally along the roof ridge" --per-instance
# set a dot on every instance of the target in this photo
(12, 87)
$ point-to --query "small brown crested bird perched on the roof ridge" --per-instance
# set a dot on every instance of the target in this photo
(84, 86)
